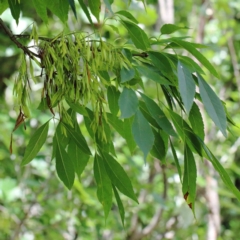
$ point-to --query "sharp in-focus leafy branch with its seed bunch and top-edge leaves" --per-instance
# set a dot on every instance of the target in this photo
(104, 82)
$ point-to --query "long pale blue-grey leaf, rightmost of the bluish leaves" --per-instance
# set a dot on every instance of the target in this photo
(213, 105)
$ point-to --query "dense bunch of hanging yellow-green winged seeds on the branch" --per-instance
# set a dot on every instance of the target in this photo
(72, 70)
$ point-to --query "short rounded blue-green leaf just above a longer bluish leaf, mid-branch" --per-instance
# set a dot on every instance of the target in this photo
(128, 103)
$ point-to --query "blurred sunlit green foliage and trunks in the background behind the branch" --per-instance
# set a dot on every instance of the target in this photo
(34, 205)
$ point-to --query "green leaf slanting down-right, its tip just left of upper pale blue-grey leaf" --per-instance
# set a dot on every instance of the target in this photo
(150, 74)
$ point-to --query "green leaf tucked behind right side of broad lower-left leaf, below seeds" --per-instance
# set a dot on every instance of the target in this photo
(79, 158)
